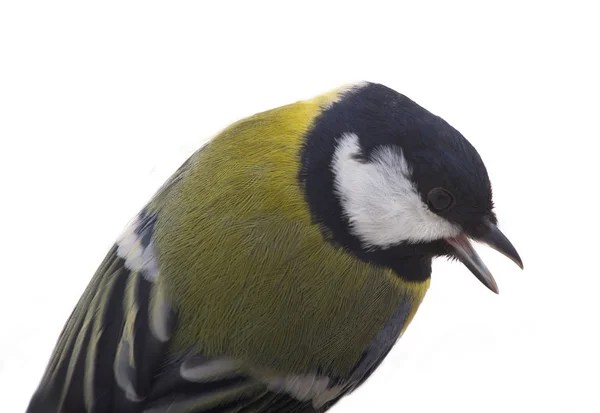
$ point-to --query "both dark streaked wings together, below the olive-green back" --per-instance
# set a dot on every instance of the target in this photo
(112, 355)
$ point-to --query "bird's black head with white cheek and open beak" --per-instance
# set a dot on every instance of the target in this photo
(397, 186)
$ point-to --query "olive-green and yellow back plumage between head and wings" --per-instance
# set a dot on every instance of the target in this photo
(239, 203)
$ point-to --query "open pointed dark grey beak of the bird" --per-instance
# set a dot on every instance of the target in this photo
(464, 251)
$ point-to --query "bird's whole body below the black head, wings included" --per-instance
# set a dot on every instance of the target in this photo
(224, 296)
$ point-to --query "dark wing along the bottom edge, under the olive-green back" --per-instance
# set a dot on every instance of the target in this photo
(193, 383)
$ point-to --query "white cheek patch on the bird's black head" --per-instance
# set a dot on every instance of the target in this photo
(380, 200)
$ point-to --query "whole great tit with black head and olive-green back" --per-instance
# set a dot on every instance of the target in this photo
(278, 266)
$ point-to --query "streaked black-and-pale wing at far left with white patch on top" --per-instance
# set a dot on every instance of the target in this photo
(115, 338)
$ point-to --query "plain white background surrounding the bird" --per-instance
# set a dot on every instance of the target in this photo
(99, 103)
